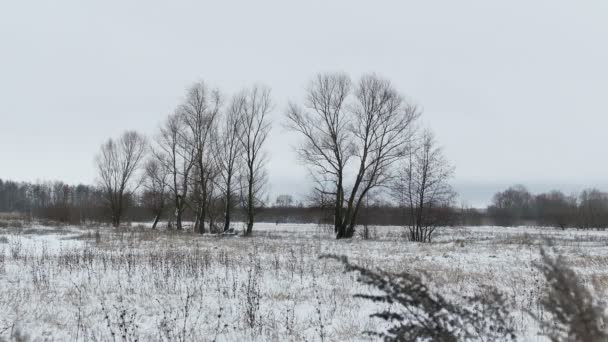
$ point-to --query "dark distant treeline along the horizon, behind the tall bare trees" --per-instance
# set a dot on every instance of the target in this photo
(79, 204)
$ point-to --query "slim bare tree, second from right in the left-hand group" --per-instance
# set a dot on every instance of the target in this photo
(228, 151)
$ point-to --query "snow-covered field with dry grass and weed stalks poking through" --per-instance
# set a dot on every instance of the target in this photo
(71, 284)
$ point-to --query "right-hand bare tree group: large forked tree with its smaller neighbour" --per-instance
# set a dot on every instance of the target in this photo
(358, 139)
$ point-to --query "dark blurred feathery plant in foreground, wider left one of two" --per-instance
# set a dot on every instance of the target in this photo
(428, 316)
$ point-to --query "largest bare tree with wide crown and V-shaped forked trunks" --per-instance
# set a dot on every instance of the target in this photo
(364, 130)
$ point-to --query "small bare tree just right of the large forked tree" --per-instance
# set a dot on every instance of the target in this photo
(422, 189)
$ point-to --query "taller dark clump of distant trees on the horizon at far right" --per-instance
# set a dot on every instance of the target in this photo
(516, 206)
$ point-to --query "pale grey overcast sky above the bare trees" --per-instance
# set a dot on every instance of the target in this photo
(516, 91)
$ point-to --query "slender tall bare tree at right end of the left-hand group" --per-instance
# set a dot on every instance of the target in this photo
(255, 128)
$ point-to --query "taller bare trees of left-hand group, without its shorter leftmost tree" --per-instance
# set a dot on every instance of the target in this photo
(207, 148)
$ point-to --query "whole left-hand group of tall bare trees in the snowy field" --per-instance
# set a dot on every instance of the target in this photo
(206, 158)
